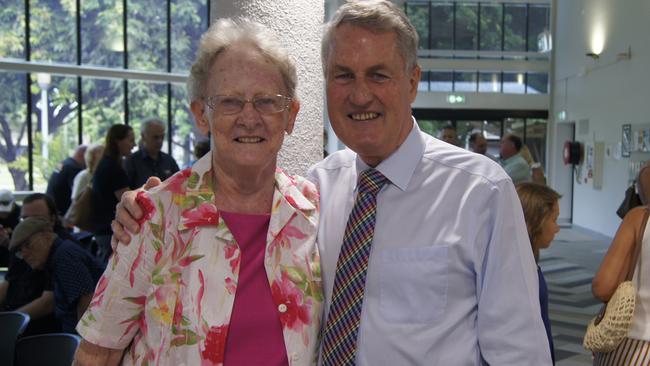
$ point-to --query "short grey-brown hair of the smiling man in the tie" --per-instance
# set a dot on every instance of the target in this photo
(376, 16)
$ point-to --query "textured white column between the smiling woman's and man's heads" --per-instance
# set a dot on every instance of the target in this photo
(299, 25)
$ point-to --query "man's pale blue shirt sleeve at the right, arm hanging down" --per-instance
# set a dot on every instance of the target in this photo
(510, 327)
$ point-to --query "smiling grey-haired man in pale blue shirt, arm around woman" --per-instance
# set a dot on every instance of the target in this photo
(451, 278)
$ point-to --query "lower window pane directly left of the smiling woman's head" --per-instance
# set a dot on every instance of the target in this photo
(184, 132)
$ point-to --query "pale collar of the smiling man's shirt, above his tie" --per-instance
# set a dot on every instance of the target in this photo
(400, 165)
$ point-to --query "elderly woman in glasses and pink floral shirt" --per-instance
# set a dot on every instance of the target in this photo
(225, 268)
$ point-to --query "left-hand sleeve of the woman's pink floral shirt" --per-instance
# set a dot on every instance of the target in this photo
(118, 305)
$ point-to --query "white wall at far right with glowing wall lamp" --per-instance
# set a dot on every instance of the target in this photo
(608, 92)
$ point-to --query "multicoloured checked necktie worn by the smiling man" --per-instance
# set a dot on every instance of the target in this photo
(342, 326)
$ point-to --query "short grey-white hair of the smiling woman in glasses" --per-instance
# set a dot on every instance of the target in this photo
(223, 34)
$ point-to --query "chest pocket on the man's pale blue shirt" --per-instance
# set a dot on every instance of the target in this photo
(413, 284)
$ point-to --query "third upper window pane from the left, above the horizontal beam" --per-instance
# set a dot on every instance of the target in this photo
(102, 36)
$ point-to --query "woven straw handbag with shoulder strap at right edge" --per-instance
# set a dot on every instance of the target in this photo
(608, 329)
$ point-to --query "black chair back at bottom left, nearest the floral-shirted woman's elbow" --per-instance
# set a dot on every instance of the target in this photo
(55, 349)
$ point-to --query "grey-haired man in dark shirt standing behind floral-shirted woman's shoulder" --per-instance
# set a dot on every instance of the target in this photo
(149, 160)
